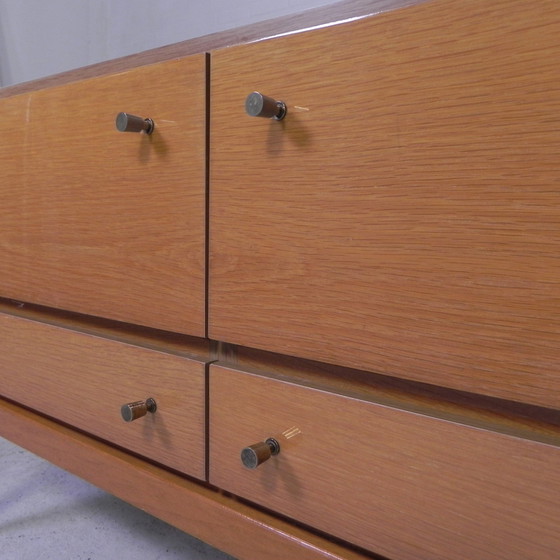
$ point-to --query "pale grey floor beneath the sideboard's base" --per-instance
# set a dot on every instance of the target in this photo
(49, 514)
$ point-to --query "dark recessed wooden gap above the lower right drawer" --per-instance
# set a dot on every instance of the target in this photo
(497, 415)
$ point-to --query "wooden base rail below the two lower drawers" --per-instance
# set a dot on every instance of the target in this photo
(237, 528)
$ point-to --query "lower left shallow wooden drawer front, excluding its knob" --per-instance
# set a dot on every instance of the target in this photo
(83, 380)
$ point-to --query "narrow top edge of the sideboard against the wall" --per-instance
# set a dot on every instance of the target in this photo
(333, 14)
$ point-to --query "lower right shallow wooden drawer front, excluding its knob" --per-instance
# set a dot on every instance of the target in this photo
(402, 484)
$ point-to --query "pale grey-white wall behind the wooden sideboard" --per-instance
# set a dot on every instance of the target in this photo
(43, 37)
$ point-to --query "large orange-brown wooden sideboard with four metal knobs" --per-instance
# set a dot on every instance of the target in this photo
(362, 298)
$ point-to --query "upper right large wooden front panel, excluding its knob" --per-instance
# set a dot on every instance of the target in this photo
(403, 217)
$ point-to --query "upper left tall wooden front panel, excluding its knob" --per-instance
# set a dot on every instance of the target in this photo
(103, 222)
